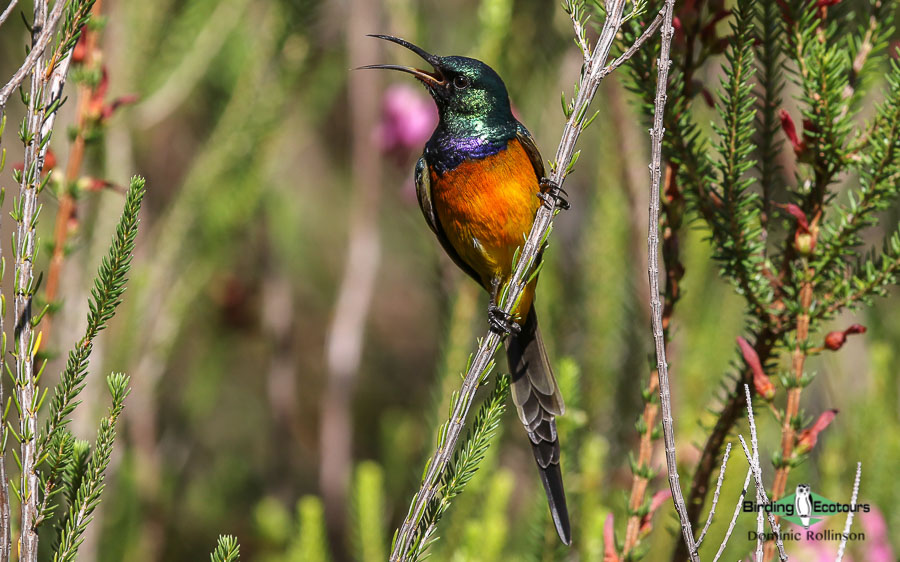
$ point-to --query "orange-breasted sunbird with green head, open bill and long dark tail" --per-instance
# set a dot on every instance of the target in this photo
(479, 184)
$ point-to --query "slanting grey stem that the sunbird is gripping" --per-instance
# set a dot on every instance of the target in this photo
(482, 361)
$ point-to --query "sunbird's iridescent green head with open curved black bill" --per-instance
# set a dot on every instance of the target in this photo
(470, 96)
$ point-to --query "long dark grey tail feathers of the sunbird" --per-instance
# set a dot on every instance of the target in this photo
(538, 401)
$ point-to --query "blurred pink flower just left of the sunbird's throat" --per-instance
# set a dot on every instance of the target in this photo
(407, 119)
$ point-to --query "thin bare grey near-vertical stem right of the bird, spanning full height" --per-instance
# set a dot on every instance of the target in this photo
(665, 396)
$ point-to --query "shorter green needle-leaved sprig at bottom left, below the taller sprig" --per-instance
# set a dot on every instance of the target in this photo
(91, 484)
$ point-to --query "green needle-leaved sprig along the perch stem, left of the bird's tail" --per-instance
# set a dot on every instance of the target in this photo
(464, 464)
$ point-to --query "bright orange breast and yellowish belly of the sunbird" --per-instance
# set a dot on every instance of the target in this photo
(486, 208)
